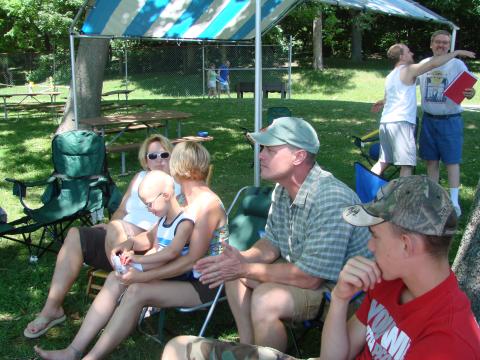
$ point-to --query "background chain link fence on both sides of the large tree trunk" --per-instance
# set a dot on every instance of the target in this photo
(159, 70)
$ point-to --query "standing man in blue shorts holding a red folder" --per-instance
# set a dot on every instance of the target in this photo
(441, 136)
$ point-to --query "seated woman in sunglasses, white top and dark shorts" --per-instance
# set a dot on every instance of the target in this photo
(93, 245)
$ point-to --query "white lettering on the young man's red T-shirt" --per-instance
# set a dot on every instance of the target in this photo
(384, 339)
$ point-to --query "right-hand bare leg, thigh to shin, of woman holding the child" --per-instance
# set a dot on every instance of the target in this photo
(160, 294)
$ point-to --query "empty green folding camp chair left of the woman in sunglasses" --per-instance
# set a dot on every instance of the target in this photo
(79, 188)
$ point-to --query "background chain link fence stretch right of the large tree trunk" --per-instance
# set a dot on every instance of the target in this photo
(180, 70)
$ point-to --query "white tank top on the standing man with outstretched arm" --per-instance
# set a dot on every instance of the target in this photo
(400, 99)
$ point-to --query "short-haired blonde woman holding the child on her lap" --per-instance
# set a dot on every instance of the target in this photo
(167, 286)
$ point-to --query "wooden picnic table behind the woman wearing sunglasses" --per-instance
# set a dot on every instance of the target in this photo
(149, 119)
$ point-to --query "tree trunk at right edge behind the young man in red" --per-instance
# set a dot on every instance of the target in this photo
(467, 265)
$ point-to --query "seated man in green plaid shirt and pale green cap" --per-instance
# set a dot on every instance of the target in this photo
(305, 244)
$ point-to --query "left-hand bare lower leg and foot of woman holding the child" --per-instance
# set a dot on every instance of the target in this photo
(98, 315)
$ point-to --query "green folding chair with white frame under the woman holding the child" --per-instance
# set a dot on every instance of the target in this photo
(251, 206)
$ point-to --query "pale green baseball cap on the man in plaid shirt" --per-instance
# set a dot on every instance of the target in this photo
(288, 130)
